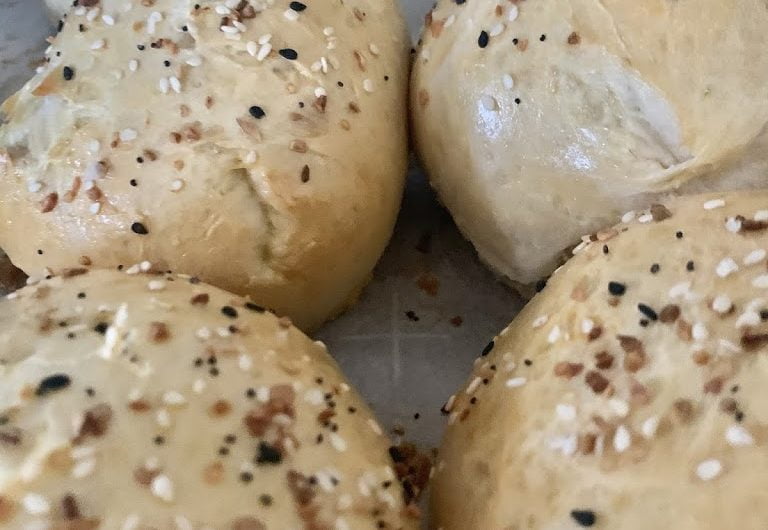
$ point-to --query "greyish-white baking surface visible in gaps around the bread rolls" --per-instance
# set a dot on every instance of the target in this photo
(400, 365)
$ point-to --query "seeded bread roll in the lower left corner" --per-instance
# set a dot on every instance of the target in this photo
(154, 401)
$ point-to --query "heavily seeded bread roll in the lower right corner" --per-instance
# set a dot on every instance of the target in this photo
(631, 392)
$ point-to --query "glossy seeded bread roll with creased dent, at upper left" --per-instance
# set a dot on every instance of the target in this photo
(260, 146)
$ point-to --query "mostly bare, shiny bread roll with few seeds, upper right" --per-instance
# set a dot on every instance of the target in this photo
(542, 121)
